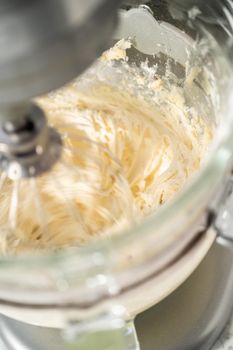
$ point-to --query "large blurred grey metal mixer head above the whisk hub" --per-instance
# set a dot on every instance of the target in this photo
(46, 43)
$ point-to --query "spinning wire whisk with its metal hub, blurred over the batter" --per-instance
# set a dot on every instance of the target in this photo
(58, 187)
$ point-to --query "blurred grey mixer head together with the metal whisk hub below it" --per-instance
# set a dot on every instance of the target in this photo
(44, 44)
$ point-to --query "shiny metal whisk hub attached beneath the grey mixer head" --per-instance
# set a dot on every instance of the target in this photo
(28, 147)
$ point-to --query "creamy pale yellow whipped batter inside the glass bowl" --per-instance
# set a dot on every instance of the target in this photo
(131, 143)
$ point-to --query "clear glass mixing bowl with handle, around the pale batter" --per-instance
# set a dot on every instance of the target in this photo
(94, 293)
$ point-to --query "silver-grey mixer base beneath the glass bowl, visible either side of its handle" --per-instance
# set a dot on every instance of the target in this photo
(191, 318)
